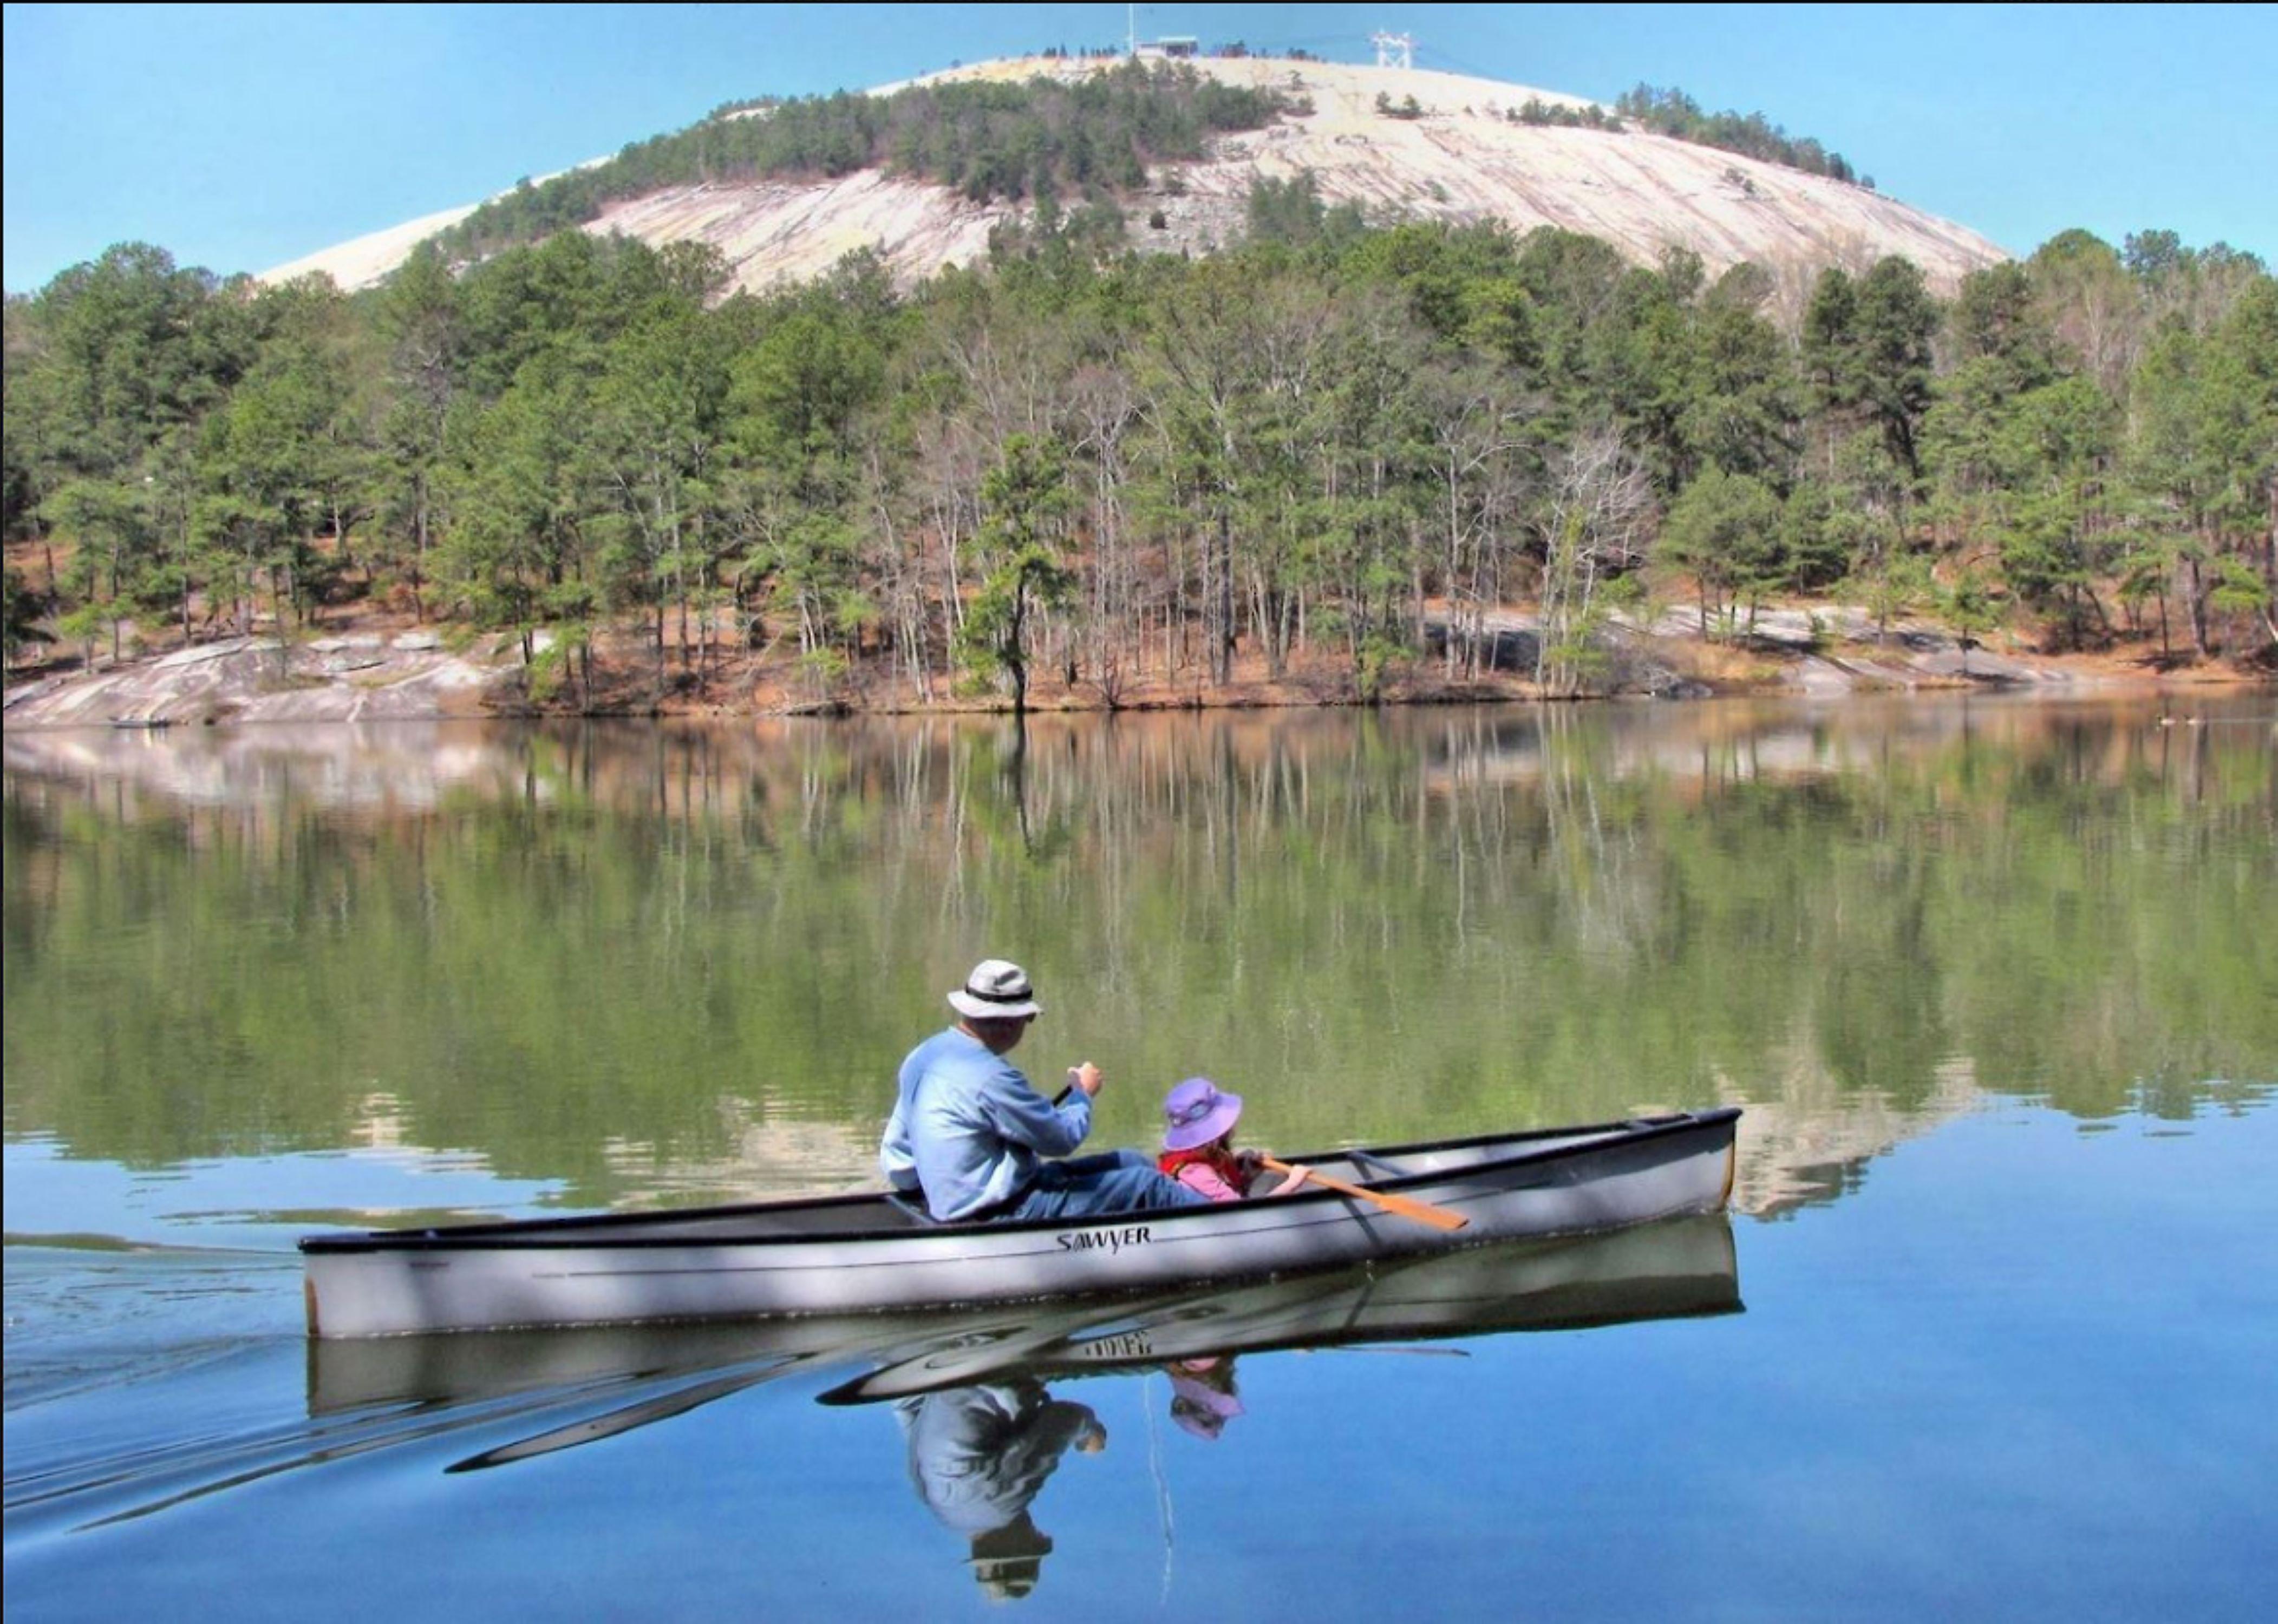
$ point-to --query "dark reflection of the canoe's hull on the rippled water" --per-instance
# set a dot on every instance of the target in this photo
(646, 1375)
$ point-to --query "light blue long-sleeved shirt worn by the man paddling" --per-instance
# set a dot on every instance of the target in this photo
(967, 1126)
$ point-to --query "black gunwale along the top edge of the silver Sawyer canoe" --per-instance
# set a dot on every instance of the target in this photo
(577, 1231)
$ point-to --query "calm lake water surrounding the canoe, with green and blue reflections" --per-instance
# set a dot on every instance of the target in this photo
(1990, 1331)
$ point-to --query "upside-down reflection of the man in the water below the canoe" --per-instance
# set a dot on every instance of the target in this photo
(978, 1459)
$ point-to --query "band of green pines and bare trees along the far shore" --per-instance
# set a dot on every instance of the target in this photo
(1338, 445)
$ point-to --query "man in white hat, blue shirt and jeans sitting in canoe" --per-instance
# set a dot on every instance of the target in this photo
(974, 1138)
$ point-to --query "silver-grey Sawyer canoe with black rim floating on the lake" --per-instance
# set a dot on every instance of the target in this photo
(880, 1254)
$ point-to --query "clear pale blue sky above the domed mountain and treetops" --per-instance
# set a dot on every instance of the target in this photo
(243, 138)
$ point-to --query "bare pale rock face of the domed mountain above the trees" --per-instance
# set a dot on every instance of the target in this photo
(1464, 158)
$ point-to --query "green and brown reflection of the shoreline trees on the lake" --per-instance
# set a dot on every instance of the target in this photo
(618, 953)
